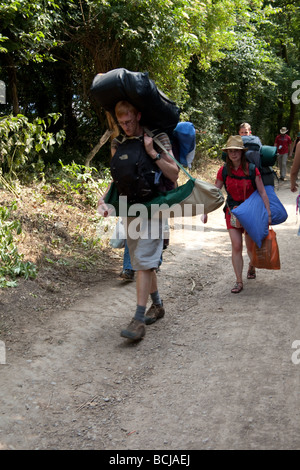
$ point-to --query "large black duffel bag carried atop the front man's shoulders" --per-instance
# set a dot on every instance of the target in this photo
(158, 112)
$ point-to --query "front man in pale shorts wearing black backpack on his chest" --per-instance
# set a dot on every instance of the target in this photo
(131, 151)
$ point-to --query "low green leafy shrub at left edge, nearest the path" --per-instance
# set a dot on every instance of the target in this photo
(12, 264)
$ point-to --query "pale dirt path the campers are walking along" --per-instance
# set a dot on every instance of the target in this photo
(215, 373)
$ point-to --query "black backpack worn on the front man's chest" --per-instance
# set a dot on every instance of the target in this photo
(134, 172)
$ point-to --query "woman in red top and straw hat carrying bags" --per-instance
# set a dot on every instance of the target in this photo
(239, 190)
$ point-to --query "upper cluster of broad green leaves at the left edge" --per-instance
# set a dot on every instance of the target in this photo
(23, 143)
